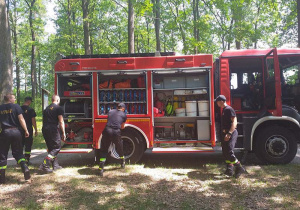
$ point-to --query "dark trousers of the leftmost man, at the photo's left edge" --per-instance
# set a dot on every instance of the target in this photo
(13, 138)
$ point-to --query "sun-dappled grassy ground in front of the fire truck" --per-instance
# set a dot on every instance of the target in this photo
(186, 185)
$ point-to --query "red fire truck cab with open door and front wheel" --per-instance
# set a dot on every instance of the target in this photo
(255, 83)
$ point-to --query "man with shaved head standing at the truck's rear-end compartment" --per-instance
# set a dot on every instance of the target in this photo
(52, 119)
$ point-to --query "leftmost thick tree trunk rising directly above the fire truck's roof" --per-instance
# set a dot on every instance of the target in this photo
(86, 26)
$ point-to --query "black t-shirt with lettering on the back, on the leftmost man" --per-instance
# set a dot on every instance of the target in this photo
(9, 115)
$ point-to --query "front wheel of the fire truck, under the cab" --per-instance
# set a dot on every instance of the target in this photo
(275, 145)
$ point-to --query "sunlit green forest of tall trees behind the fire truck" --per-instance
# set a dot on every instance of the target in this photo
(29, 52)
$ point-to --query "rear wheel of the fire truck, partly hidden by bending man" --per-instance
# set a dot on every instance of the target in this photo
(134, 146)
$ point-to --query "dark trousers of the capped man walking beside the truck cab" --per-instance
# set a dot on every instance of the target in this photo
(228, 146)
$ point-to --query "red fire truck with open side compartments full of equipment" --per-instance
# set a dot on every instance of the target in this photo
(169, 101)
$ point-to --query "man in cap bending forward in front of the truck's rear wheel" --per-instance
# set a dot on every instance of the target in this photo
(112, 134)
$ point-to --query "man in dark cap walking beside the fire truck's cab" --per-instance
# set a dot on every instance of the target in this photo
(229, 137)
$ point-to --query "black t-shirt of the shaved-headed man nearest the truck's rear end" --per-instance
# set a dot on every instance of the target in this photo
(51, 113)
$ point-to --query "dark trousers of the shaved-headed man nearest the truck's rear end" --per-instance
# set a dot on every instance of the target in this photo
(53, 139)
